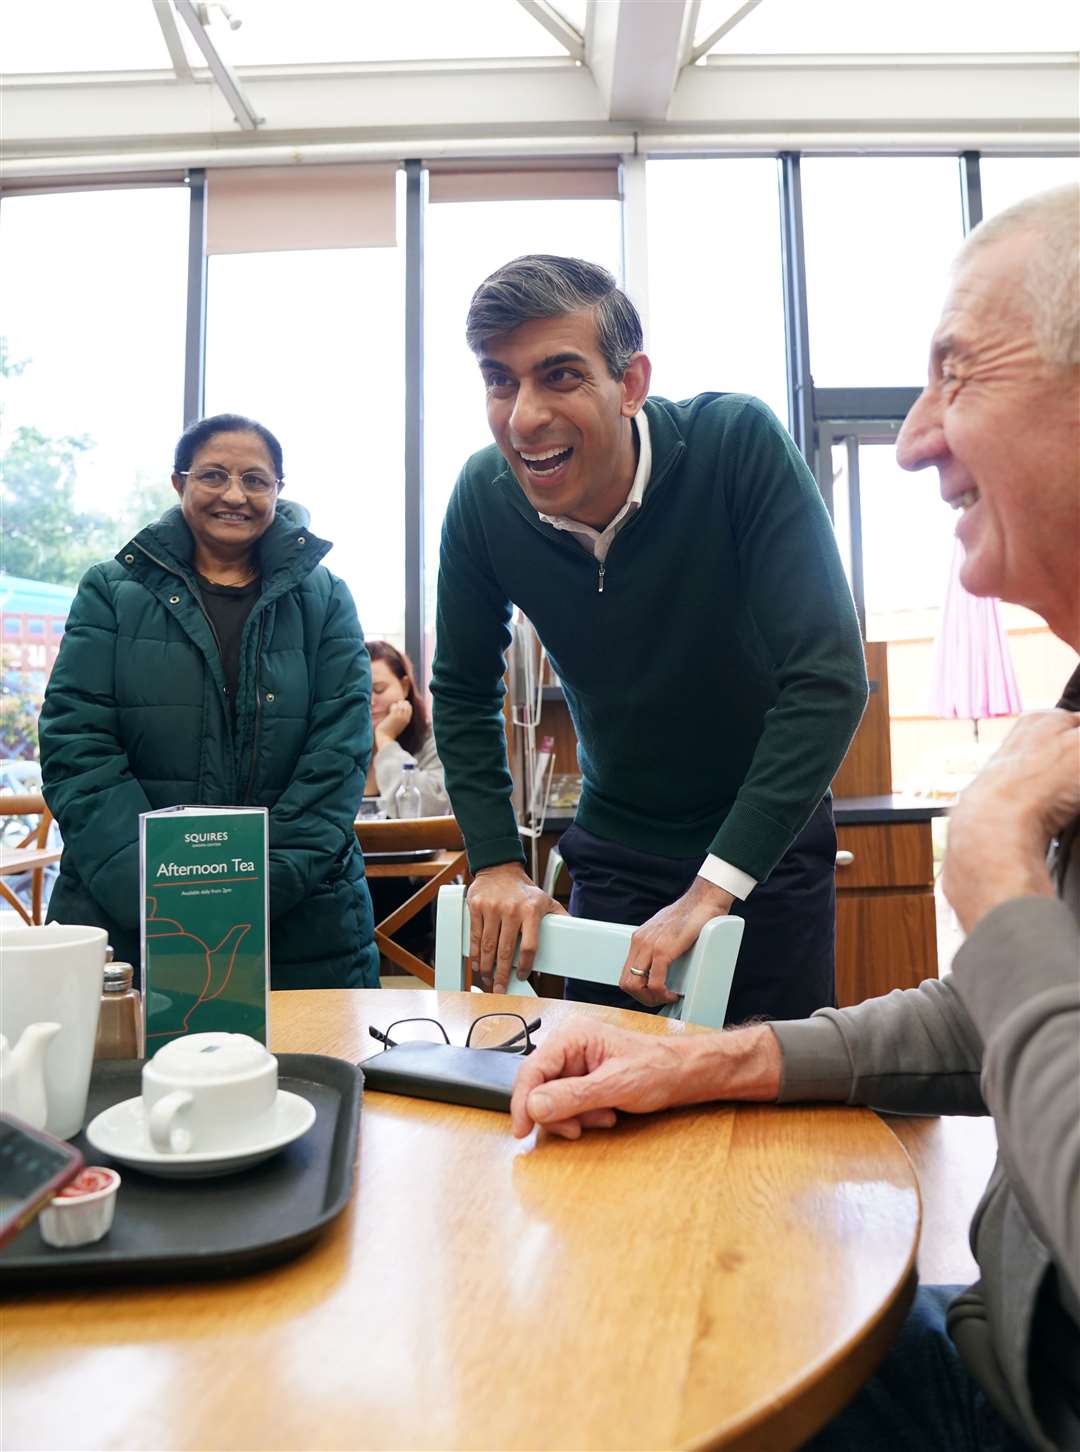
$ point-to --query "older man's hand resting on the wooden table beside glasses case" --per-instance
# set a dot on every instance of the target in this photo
(587, 1071)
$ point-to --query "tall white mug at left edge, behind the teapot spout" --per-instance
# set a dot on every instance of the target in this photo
(54, 975)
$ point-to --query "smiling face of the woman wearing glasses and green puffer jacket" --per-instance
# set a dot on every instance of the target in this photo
(227, 523)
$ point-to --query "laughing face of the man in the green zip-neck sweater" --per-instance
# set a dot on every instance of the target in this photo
(561, 420)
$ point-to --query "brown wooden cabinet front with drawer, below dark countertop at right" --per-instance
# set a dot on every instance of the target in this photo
(886, 924)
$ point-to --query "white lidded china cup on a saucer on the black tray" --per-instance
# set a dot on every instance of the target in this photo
(208, 1093)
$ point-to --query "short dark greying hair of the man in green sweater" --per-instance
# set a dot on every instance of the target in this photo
(545, 287)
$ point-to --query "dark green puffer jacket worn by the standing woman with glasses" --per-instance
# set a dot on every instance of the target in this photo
(137, 718)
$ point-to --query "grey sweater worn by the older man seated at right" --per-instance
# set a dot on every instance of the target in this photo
(1001, 1036)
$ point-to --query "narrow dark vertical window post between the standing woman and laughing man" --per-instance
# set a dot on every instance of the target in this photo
(414, 417)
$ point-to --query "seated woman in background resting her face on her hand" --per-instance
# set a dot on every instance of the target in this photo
(403, 734)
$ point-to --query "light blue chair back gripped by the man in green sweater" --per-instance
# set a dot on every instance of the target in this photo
(596, 952)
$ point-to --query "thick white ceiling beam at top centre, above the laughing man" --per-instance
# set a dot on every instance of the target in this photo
(635, 52)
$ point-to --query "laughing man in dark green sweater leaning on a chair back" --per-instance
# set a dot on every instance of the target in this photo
(682, 570)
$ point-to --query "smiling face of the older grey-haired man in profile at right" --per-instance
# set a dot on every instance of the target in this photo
(1002, 428)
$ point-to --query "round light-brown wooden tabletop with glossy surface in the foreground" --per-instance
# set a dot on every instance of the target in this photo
(716, 1277)
